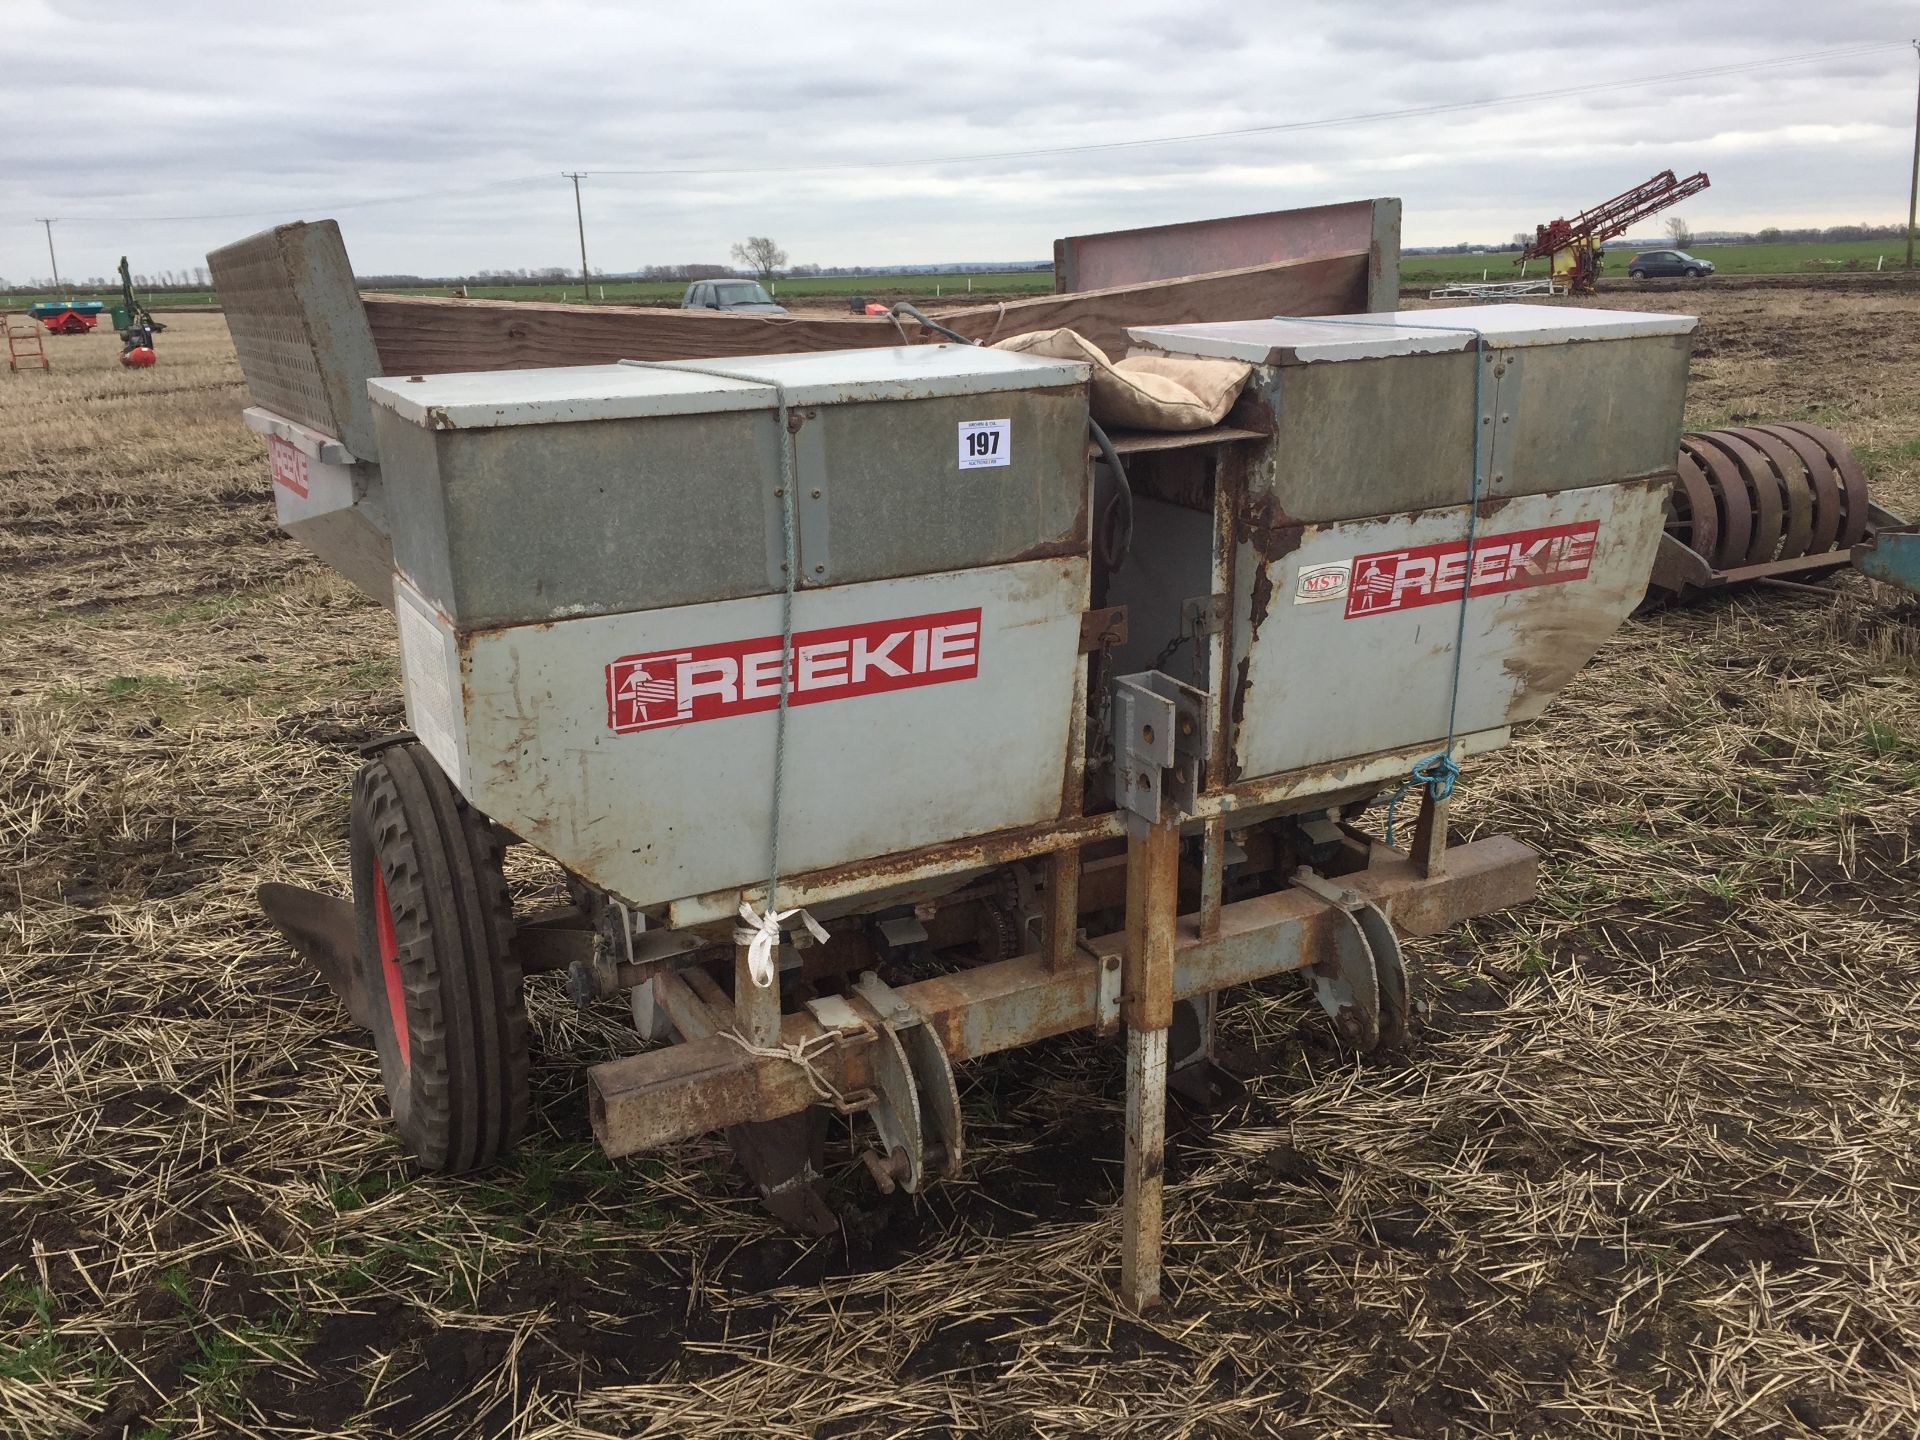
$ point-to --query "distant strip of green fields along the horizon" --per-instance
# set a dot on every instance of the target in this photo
(1810, 258)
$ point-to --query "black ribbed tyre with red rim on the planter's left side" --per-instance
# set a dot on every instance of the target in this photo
(435, 932)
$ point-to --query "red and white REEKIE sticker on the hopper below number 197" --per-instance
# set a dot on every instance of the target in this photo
(742, 677)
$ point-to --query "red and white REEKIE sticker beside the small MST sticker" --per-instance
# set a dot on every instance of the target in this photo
(1429, 575)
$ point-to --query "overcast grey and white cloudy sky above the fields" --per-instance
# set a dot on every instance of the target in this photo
(168, 130)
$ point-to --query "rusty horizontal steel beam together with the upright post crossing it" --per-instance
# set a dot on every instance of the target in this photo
(686, 1090)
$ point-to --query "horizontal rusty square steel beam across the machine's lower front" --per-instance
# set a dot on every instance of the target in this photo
(694, 1088)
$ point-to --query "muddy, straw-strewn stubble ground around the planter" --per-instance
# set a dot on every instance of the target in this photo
(1650, 1166)
